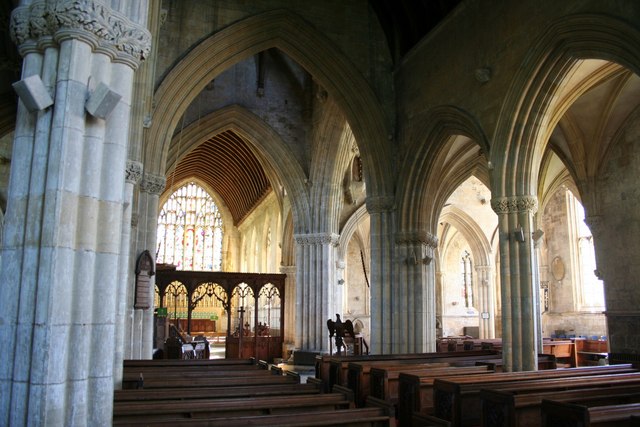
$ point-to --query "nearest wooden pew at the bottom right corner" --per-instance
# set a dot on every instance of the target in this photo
(571, 415)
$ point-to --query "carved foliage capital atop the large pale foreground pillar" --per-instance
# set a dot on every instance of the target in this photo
(104, 29)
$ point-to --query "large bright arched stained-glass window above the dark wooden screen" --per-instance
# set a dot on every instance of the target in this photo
(190, 230)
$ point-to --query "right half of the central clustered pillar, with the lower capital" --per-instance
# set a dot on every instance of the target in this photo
(414, 295)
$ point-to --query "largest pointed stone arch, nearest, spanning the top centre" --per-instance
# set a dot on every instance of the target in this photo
(286, 31)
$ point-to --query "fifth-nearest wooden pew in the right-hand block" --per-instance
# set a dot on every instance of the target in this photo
(384, 381)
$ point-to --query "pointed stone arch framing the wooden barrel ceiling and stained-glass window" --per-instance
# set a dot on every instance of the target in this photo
(266, 143)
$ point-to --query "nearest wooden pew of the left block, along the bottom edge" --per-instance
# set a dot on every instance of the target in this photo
(360, 417)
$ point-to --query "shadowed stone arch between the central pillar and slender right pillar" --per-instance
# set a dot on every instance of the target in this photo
(419, 183)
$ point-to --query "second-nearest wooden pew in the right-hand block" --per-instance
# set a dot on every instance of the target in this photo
(519, 407)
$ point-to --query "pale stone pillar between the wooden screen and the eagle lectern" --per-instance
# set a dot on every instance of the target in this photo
(316, 296)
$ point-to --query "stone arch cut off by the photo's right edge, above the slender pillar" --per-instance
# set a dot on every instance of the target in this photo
(528, 109)
